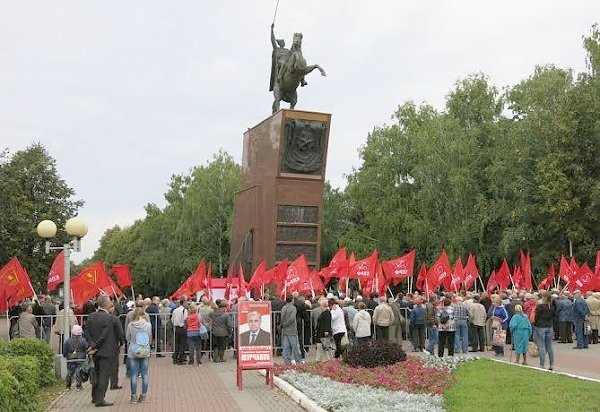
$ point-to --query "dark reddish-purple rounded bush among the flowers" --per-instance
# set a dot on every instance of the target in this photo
(374, 353)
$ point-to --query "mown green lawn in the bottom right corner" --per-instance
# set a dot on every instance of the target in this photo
(488, 386)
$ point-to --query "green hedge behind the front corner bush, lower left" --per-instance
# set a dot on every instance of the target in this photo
(40, 350)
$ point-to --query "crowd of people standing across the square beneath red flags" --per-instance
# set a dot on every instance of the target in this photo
(455, 323)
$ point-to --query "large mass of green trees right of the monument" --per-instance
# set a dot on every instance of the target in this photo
(491, 174)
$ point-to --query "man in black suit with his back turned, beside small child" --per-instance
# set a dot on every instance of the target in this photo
(104, 332)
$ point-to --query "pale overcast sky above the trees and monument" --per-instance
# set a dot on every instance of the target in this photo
(124, 94)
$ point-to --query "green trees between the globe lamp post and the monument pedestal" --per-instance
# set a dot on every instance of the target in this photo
(168, 243)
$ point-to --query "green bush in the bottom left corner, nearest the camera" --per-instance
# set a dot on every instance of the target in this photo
(25, 370)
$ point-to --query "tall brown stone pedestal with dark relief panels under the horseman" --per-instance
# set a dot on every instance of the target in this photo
(279, 207)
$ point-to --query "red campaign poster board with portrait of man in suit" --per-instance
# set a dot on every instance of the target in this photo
(255, 337)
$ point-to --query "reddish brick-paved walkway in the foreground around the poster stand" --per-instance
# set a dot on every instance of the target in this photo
(210, 386)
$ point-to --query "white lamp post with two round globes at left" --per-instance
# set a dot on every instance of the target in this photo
(76, 229)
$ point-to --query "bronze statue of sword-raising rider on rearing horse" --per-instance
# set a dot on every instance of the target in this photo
(288, 70)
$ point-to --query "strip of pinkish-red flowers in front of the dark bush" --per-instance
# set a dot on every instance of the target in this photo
(412, 376)
